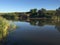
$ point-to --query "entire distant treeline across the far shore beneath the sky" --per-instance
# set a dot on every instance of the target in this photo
(33, 13)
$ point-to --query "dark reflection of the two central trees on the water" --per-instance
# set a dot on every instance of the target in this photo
(40, 22)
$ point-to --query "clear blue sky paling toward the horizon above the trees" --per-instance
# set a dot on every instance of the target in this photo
(26, 5)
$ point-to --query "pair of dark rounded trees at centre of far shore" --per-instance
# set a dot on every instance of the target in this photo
(42, 13)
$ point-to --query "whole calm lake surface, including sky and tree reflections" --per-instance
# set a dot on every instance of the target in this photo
(34, 32)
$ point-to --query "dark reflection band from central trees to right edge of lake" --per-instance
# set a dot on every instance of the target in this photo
(41, 22)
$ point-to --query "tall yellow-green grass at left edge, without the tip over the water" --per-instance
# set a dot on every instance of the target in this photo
(4, 24)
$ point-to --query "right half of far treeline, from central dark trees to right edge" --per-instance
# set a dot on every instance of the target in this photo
(43, 13)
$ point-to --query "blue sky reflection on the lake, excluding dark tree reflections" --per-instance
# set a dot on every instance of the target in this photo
(29, 34)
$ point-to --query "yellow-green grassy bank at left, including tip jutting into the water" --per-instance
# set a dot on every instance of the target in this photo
(4, 27)
